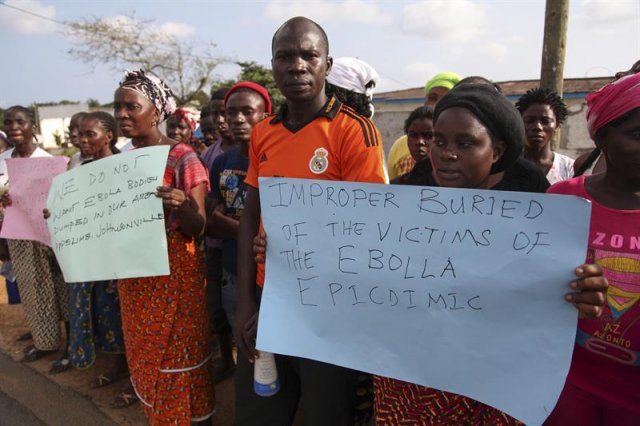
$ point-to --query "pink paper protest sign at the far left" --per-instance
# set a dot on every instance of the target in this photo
(30, 182)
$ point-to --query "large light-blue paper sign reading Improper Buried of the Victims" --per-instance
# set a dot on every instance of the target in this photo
(460, 290)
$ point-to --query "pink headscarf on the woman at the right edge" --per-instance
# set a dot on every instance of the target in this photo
(612, 101)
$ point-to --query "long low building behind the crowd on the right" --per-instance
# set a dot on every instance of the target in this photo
(392, 108)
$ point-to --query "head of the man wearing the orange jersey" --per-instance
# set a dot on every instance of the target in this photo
(300, 62)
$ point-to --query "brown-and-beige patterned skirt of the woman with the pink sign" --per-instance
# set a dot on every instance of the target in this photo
(44, 294)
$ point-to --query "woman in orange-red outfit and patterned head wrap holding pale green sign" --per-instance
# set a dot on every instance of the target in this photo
(164, 318)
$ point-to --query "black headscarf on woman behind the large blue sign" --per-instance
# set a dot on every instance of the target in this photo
(494, 111)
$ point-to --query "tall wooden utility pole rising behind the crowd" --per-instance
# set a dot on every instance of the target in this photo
(554, 49)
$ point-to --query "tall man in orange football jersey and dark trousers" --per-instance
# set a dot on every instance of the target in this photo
(311, 137)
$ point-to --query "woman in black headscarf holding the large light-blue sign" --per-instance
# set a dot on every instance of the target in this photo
(477, 133)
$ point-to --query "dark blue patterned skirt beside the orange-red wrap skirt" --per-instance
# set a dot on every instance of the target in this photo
(94, 321)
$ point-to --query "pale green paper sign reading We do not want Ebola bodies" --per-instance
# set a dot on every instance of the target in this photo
(106, 222)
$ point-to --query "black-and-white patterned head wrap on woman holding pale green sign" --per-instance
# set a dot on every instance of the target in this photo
(153, 89)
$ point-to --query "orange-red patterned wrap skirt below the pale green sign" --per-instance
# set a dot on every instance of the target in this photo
(166, 331)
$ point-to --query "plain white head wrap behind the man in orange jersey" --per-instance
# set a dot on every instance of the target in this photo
(355, 75)
